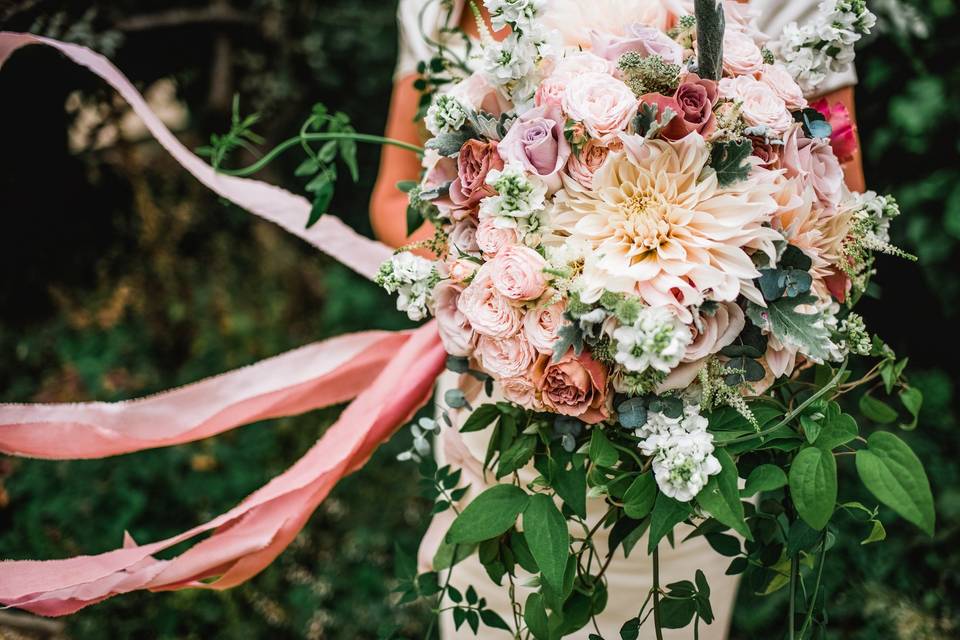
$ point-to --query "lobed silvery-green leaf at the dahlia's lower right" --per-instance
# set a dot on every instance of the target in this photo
(805, 331)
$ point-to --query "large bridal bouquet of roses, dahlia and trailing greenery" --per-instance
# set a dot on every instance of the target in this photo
(645, 249)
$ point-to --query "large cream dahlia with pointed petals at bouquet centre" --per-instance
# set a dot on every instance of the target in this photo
(661, 226)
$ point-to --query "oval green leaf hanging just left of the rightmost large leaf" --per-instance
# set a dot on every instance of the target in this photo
(813, 485)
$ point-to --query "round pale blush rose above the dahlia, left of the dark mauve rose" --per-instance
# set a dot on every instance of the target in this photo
(602, 103)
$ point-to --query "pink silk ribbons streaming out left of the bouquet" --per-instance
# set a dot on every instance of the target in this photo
(390, 375)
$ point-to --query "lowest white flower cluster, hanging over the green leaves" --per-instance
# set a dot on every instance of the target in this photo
(682, 451)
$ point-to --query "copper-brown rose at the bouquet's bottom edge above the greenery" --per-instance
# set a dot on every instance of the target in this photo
(573, 386)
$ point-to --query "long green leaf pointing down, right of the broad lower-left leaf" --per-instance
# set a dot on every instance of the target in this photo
(545, 530)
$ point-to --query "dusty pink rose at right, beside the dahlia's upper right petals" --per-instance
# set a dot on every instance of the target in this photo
(814, 162)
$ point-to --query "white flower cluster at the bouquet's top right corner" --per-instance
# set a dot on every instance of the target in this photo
(810, 52)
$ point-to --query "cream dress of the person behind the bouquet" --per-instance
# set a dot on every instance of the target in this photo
(629, 579)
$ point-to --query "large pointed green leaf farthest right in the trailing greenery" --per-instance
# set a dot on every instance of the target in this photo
(895, 476)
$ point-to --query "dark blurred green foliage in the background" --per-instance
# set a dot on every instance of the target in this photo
(121, 276)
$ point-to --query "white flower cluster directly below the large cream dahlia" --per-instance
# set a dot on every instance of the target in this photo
(658, 339)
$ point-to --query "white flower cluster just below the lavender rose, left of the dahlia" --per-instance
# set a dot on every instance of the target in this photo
(520, 200)
